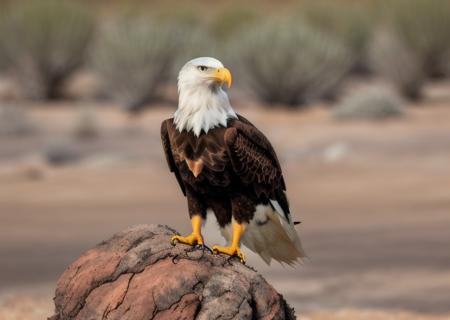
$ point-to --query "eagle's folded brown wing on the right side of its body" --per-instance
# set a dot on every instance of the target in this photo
(255, 162)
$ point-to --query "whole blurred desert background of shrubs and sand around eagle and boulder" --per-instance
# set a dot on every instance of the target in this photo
(354, 95)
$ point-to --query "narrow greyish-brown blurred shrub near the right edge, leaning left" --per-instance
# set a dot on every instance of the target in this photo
(393, 60)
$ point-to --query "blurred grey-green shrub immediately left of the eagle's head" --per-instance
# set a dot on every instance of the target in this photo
(134, 57)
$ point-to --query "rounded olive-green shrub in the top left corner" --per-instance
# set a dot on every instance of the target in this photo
(44, 42)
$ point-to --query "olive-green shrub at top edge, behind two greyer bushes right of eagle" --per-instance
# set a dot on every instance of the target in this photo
(352, 24)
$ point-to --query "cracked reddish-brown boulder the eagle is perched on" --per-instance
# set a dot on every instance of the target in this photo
(138, 274)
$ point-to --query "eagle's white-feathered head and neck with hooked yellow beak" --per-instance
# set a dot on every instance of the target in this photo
(203, 104)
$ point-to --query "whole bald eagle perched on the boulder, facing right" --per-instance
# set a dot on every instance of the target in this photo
(223, 163)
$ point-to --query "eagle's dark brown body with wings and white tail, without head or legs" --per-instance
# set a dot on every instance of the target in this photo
(234, 172)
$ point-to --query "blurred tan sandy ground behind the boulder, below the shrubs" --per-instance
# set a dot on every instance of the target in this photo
(373, 198)
